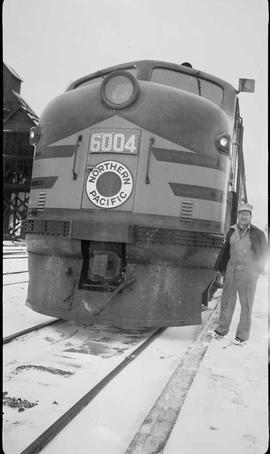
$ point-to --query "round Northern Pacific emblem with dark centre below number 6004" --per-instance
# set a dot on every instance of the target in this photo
(109, 184)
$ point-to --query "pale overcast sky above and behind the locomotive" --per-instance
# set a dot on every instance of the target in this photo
(50, 43)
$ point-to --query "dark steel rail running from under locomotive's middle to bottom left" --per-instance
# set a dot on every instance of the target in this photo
(40, 442)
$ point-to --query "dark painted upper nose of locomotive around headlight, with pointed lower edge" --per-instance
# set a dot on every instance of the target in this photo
(170, 121)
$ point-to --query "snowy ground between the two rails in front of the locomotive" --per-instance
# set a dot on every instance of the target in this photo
(54, 368)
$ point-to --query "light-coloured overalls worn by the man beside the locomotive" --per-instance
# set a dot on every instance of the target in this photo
(240, 277)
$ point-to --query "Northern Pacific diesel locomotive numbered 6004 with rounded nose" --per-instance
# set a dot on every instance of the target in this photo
(137, 173)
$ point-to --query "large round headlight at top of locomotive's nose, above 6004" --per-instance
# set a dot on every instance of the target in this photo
(119, 90)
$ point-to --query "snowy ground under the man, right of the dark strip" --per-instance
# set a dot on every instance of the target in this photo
(226, 409)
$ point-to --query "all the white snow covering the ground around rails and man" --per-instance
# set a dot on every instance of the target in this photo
(225, 409)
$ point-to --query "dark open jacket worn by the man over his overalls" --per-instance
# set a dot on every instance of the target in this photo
(258, 246)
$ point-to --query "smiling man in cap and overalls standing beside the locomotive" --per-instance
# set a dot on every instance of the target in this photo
(242, 259)
